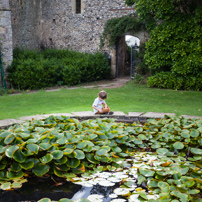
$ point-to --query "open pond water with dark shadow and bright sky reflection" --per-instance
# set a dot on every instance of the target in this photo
(38, 188)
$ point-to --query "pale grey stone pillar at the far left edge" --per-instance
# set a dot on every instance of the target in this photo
(6, 33)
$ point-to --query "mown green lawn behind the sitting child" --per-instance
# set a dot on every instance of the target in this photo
(130, 98)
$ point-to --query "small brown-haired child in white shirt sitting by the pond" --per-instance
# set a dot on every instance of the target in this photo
(99, 104)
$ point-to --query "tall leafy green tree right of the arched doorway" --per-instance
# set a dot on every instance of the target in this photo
(175, 42)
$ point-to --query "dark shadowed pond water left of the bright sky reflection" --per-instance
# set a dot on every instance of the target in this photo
(38, 188)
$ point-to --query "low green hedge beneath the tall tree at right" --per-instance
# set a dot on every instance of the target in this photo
(170, 80)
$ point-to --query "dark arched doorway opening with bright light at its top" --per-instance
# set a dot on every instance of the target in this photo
(123, 54)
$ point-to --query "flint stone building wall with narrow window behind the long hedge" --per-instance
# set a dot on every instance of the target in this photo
(73, 24)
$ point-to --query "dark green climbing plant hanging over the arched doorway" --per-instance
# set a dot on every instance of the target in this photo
(116, 27)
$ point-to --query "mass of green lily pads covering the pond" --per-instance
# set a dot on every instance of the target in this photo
(165, 153)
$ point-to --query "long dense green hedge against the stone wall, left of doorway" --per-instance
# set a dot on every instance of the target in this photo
(51, 67)
